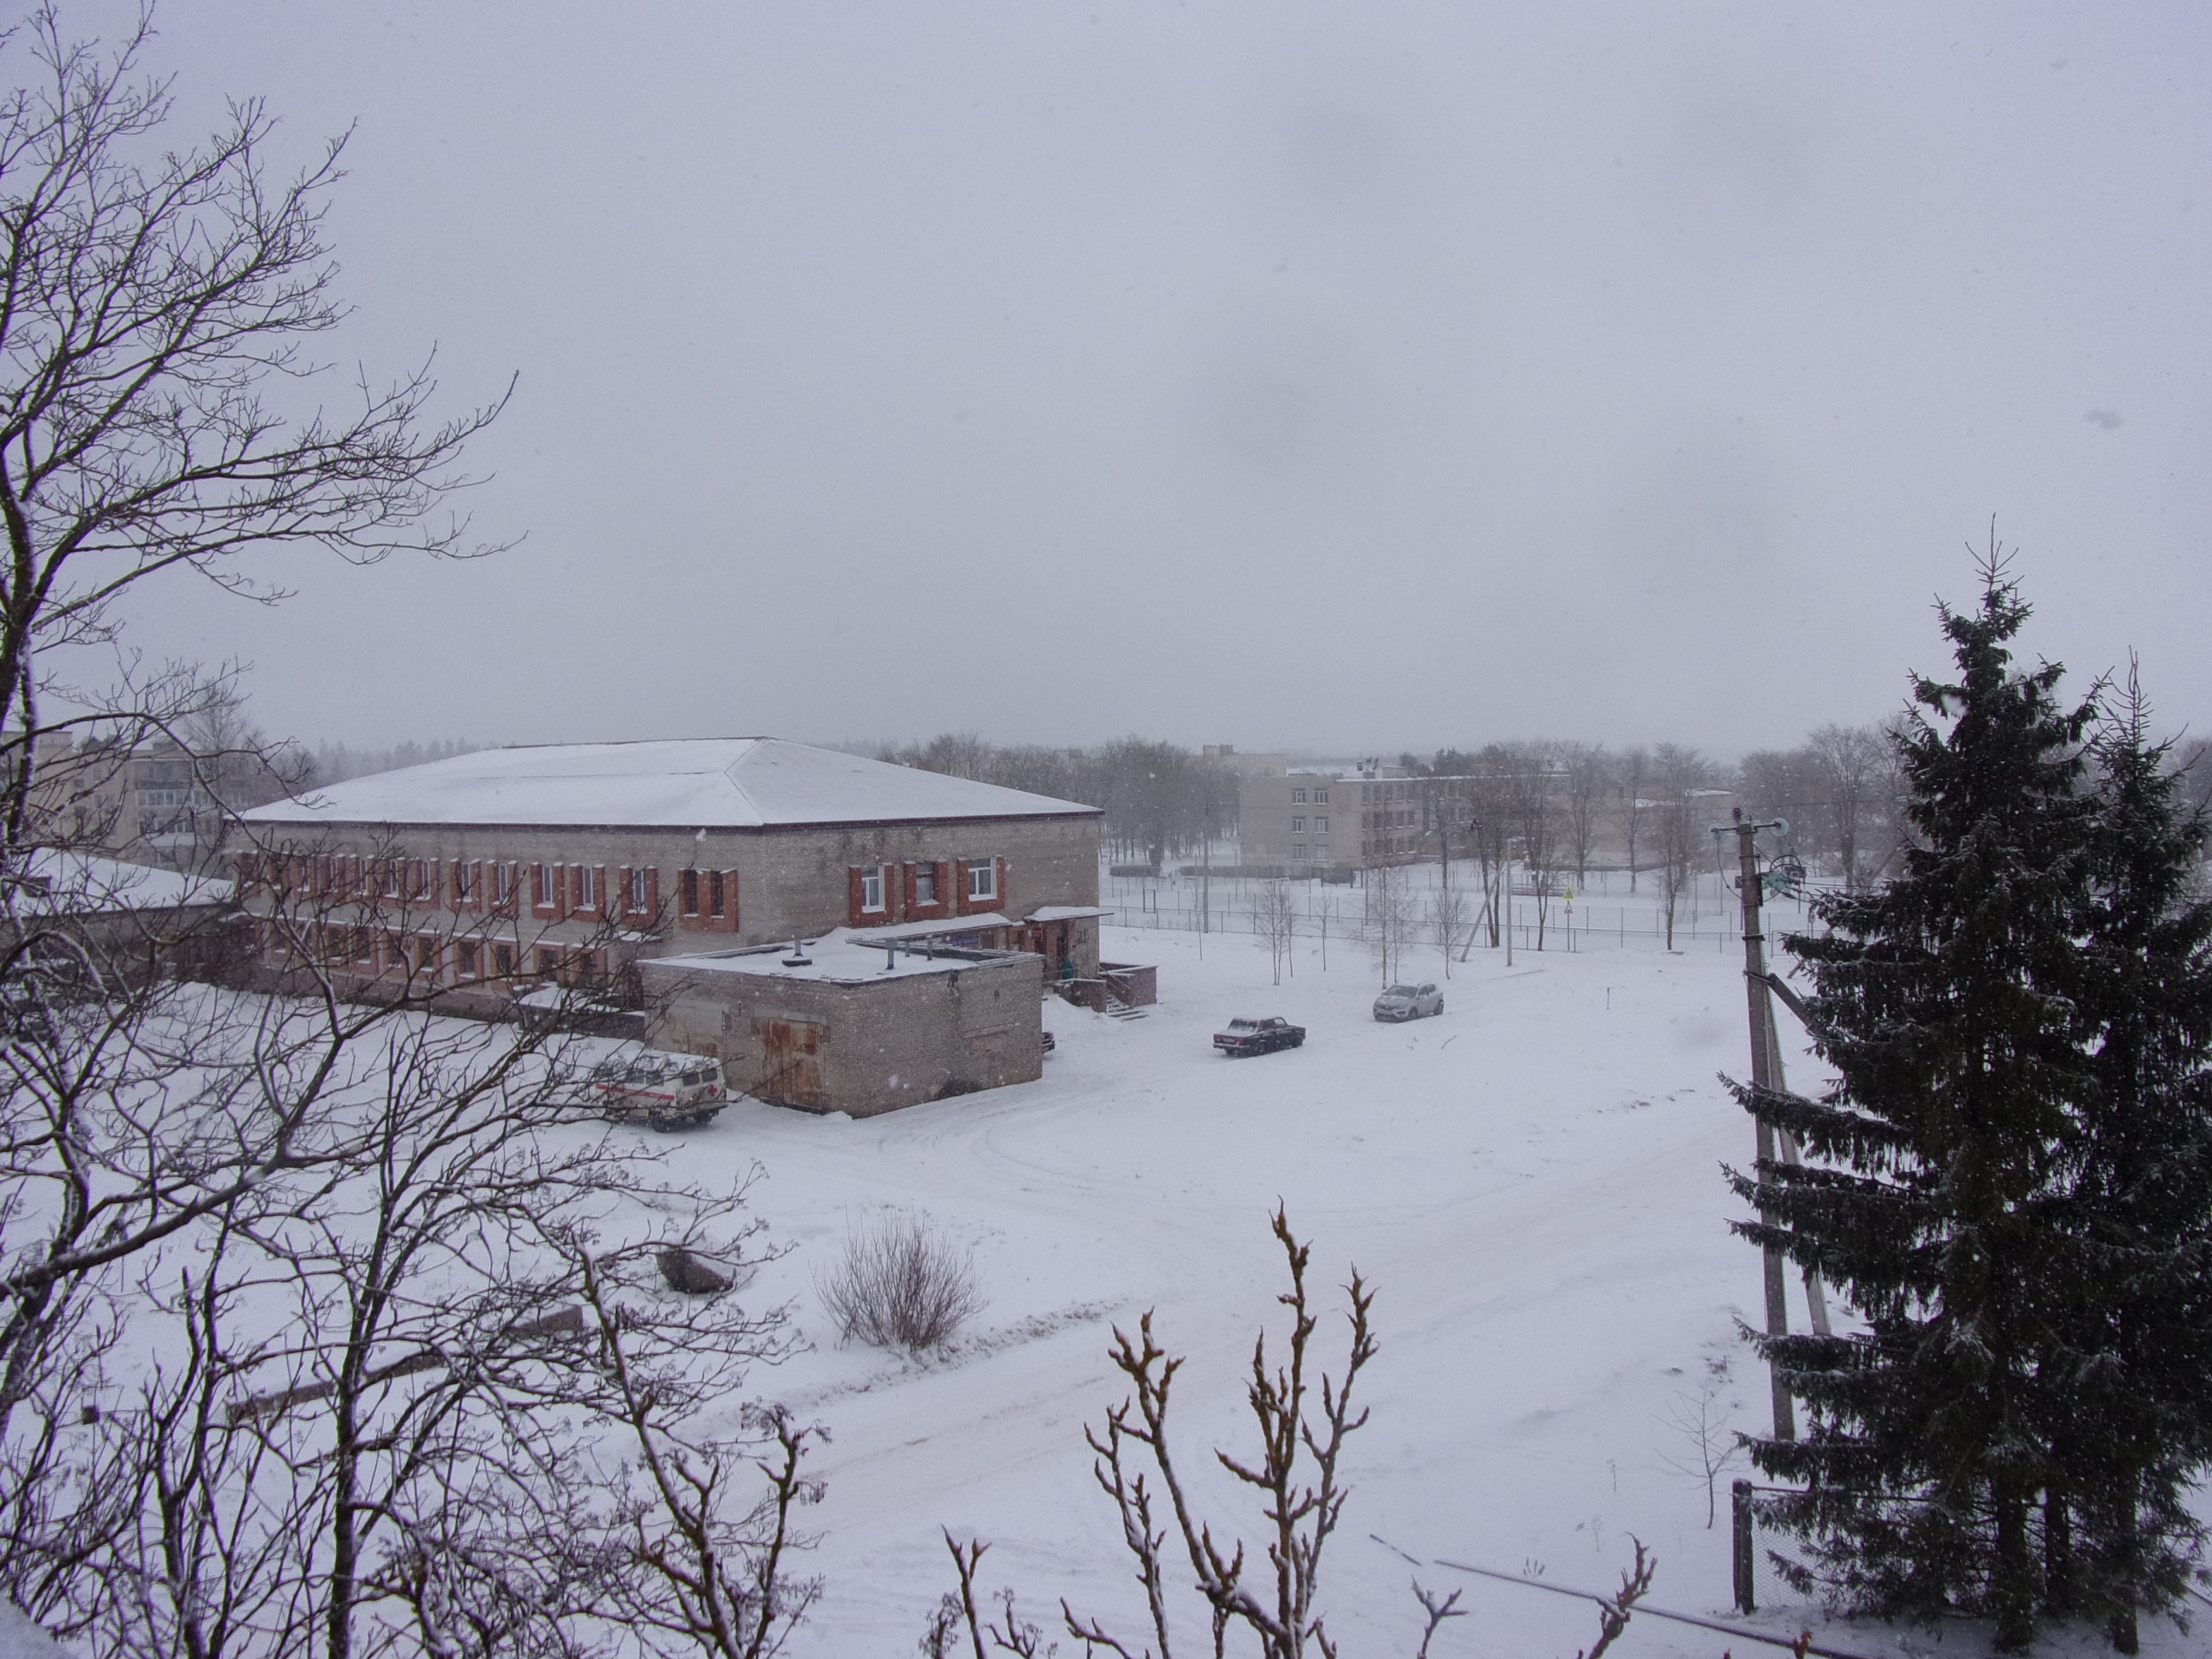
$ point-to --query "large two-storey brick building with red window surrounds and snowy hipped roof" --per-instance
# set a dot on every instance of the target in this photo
(486, 873)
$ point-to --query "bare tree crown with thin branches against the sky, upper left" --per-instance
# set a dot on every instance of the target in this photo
(149, 295)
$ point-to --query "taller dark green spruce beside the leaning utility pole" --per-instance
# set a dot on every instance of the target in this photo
(1945, 1005)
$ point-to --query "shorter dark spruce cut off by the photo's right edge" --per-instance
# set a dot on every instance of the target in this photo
(2129, 1353)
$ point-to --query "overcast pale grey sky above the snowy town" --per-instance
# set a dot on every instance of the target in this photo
(1280, 375)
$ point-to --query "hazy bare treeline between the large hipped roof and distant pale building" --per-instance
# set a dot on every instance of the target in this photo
(1160, 800)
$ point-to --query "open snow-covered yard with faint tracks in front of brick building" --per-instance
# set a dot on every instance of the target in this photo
(1532, 1185)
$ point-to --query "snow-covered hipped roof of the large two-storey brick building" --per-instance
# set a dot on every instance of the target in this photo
(680, 784)
